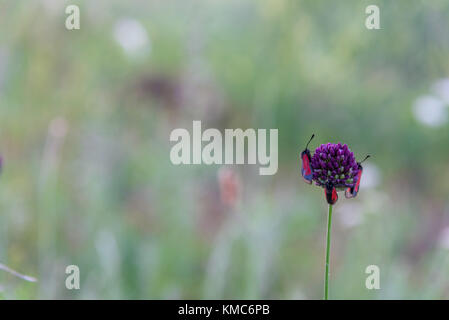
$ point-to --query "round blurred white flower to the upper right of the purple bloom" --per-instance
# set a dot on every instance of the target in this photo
(430, 111)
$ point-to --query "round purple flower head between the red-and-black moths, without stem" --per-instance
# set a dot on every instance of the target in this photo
(334, 164)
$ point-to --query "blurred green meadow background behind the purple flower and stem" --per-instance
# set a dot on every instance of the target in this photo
(85, 119)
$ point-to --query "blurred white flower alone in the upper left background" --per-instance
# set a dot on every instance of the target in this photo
(132, 37)
